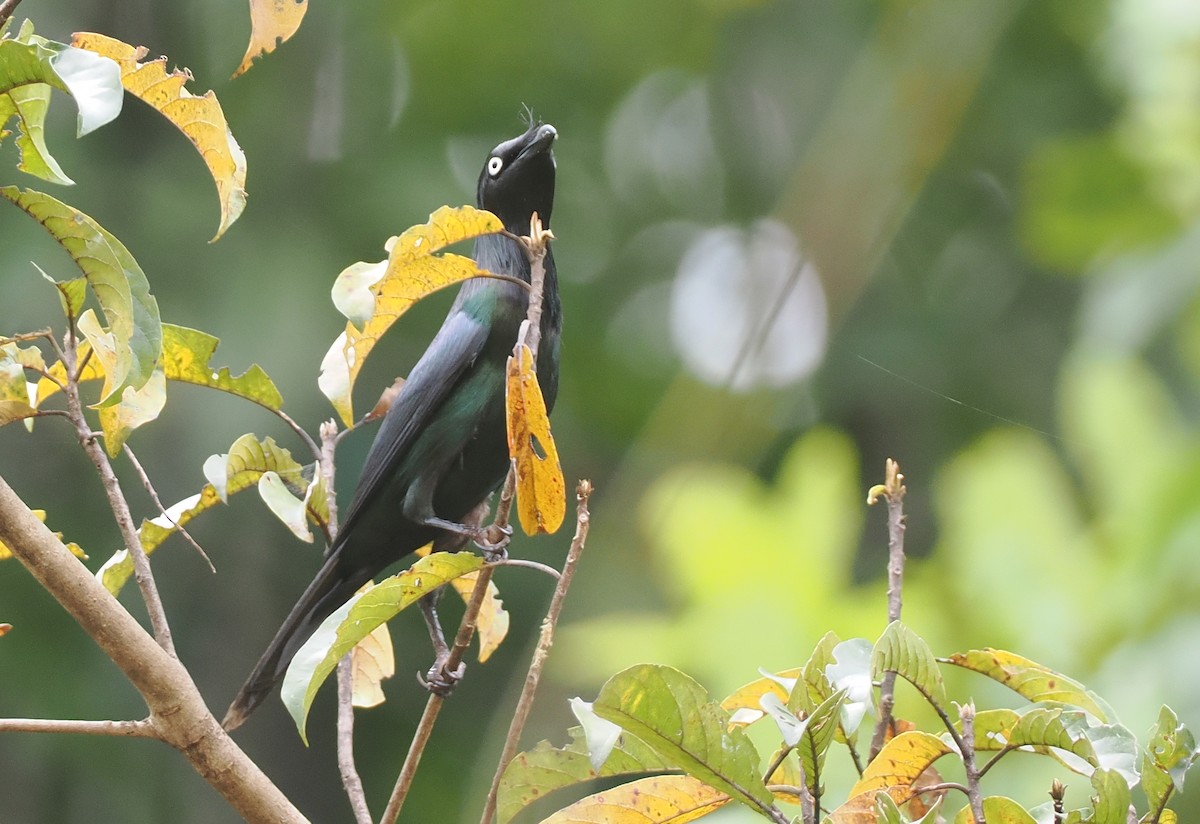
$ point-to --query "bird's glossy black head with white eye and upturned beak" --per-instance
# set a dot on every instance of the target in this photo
(519, 179)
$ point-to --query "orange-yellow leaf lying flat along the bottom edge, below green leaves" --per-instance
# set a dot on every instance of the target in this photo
(669, 799)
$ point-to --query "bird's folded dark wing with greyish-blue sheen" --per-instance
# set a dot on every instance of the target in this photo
(433, 381)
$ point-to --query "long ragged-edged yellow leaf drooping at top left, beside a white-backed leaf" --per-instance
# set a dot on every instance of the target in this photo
(200, 119)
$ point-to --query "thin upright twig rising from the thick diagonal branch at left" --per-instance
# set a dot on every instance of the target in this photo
(119, 504)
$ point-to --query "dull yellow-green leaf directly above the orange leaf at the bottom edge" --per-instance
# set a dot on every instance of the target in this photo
(533, 775)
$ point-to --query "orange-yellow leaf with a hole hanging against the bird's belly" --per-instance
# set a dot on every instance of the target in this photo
(542, 491)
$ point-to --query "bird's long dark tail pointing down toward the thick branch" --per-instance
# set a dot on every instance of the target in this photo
(331, 590)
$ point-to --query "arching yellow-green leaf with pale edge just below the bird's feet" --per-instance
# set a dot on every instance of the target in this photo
(358, 618)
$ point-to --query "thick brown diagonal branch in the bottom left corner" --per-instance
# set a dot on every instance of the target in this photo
(178, 714)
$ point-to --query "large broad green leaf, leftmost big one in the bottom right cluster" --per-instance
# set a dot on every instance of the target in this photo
(675, 717)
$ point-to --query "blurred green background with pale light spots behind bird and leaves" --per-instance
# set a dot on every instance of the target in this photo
(796, 238)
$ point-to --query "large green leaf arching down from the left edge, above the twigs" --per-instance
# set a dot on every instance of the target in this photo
(116, 279)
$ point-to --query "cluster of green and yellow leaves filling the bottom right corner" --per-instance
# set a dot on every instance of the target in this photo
(681, 755)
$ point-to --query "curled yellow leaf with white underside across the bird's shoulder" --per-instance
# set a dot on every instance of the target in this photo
(375, 302)
